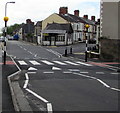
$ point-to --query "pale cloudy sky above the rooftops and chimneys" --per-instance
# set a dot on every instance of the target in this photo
(38, 10)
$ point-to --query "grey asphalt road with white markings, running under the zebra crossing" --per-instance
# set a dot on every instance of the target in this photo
(57, 83)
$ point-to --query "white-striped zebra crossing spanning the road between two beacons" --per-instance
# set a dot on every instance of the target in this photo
(51, 63)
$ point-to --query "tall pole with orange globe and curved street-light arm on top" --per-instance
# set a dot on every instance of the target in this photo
(5, 19)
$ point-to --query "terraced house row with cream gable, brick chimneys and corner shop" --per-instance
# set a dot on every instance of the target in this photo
(54, 36)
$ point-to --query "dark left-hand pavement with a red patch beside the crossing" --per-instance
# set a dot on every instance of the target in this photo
(7, 104)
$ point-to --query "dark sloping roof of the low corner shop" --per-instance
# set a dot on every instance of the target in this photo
(58, 28)
